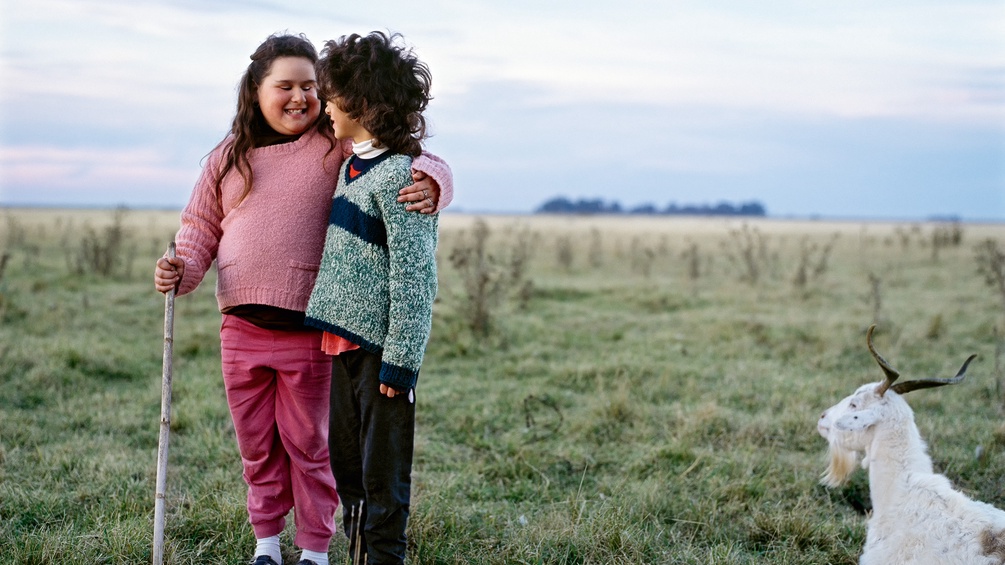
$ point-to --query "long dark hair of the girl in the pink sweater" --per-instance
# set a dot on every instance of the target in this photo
(250, 126)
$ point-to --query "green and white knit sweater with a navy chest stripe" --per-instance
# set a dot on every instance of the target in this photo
(378, 274)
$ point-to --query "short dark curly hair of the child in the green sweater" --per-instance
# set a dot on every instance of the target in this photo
(380, 85)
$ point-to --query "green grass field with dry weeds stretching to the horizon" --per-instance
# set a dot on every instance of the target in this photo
(596, 390)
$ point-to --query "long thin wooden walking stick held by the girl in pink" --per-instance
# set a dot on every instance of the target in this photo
(162, 445)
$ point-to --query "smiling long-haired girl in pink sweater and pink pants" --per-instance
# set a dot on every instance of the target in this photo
(261, 211)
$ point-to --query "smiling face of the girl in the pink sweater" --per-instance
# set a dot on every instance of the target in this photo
(288, 96)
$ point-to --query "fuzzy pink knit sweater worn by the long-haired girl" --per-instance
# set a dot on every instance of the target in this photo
(268, 249)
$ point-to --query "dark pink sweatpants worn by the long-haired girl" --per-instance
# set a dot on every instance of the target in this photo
(278, 388)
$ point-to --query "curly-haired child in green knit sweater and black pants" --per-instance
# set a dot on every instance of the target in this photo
(375, 290)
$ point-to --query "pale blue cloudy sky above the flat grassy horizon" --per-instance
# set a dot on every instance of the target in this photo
(891, 110)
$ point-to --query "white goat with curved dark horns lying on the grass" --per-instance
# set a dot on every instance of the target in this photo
(917, 516)
